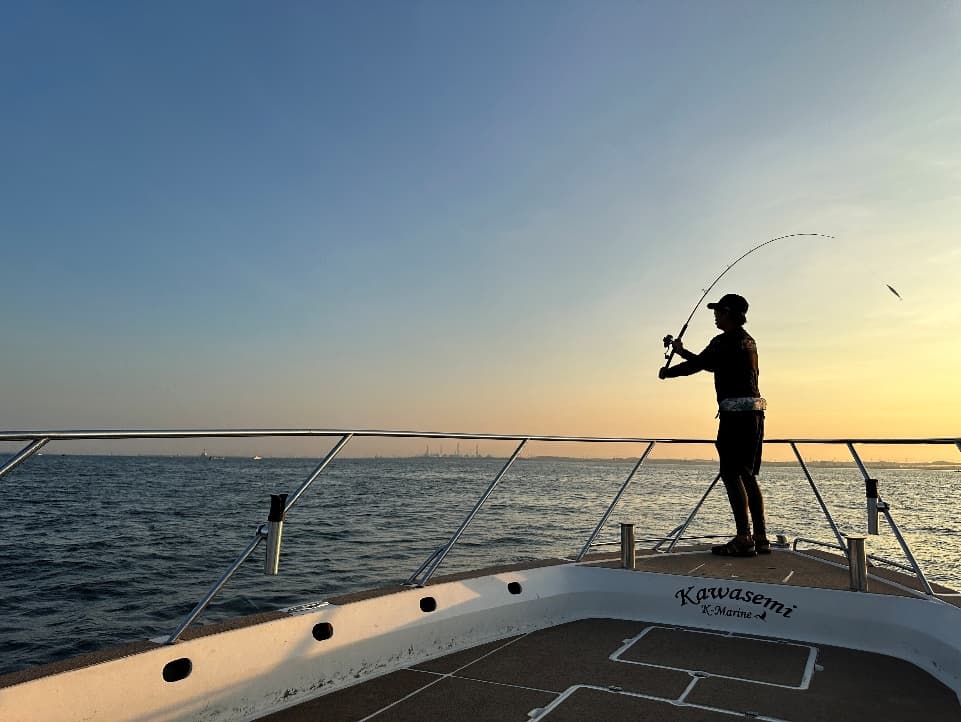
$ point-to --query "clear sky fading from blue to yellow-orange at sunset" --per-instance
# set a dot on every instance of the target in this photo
(476, 217)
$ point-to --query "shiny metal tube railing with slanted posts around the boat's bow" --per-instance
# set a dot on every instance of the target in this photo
(36, 440)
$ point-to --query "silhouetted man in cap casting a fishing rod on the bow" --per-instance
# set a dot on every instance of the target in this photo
(732, 358)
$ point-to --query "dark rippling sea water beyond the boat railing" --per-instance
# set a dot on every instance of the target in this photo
(100, 550)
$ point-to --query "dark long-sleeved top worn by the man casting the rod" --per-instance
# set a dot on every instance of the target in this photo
(732, 358)
